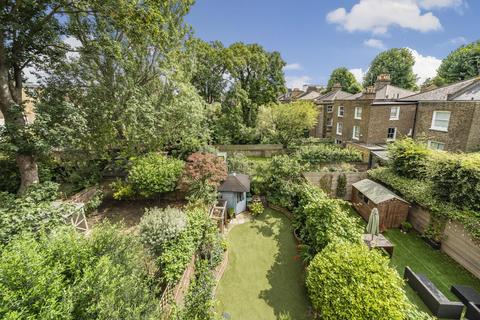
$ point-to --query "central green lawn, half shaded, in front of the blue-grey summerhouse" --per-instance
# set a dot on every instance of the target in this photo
(264, 278)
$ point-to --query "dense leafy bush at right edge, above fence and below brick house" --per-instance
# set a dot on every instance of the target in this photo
(456, 179)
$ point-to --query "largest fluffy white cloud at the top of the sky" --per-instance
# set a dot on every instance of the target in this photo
(377, 16)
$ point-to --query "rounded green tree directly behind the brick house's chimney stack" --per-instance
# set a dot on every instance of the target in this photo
(397, 62)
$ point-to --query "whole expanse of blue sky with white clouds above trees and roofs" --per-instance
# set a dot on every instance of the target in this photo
(316, 36)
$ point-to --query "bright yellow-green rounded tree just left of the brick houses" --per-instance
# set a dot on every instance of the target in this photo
(286, 123)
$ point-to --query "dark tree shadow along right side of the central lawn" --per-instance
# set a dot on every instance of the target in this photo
(282, 296)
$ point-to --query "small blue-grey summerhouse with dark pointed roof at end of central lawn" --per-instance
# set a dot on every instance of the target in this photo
(234, 190)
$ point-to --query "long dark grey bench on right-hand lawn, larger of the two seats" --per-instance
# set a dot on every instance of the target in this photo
(435, 300)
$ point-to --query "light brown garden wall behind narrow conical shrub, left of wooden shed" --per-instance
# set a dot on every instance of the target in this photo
(328, 181)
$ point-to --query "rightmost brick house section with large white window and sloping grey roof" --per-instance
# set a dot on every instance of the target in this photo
(449, 117)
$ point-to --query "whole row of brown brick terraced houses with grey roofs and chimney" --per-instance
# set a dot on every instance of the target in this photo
(448, 118)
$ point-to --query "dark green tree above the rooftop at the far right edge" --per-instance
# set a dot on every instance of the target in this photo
(461, 64)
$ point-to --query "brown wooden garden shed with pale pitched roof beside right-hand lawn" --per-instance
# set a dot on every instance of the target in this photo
(367, 194)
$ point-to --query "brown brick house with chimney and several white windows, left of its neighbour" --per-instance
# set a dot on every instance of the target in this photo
(374, 116)
